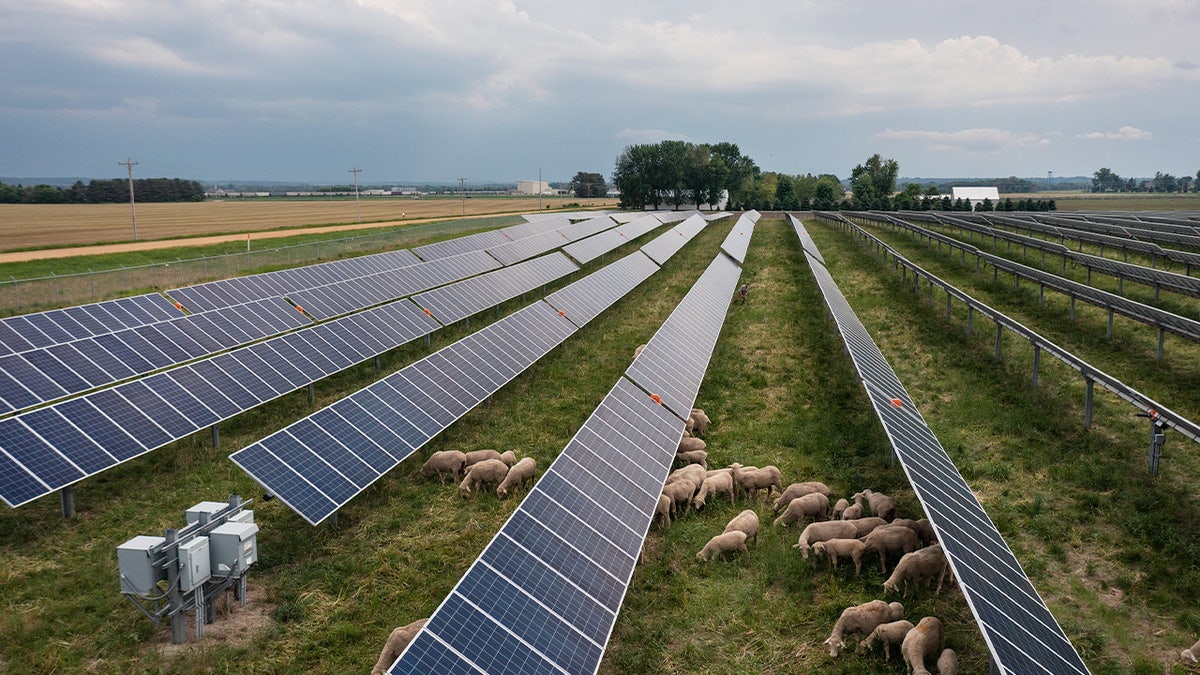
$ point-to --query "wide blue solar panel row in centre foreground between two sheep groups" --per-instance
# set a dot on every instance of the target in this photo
(545, 594)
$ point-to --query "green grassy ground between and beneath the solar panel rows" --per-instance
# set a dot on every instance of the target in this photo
(1112, 551)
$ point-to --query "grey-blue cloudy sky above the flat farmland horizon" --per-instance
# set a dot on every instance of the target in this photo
(431, 91)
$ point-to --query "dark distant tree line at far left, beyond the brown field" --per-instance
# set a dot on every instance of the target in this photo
(106, 192)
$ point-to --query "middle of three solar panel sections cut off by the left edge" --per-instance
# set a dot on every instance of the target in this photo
(67, 369)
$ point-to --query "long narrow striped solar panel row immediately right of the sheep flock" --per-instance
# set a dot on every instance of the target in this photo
(1021, 632)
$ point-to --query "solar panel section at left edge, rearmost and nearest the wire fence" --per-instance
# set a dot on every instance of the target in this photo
(38, 331)
